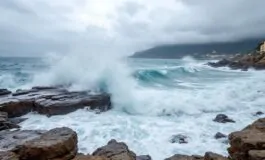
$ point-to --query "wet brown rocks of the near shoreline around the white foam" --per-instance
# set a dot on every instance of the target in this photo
(61, 143)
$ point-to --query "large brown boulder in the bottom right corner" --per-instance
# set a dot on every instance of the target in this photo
(248, 143)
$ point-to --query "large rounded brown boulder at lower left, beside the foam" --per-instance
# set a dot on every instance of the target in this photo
(58, 143)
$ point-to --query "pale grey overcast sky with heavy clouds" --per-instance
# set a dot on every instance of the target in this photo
(36, 27)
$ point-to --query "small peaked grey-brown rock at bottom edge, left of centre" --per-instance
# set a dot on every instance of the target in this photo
(115, 151)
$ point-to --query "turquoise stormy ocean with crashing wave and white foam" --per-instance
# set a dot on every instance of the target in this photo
(153, 100)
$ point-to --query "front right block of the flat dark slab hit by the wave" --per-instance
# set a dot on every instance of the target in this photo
(69, 102)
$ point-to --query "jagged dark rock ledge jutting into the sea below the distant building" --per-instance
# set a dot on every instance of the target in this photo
(255, 60)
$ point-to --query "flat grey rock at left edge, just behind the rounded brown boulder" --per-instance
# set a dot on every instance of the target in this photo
(10, 139)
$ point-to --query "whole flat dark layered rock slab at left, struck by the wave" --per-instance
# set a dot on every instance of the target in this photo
(52, 101)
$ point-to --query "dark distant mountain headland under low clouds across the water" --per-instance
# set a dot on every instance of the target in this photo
(199, 50)
